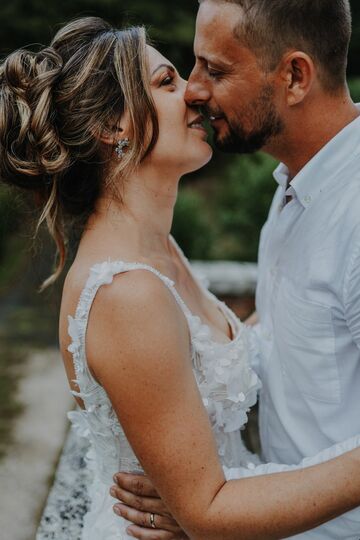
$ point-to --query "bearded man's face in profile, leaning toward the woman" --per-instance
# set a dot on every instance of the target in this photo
(228, 82)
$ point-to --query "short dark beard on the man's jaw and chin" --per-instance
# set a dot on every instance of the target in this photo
(262, 115)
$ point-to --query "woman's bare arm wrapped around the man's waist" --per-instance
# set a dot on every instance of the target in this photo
(138, 348)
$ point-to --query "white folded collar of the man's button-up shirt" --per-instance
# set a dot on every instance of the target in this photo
(326, 164)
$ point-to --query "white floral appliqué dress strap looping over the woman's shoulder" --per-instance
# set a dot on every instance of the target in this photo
(103, 274)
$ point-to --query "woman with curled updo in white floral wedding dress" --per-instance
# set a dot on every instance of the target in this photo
(97, 127)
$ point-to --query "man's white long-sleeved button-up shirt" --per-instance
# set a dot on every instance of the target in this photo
(308, 301)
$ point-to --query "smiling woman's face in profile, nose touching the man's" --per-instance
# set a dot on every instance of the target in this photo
(181, 145)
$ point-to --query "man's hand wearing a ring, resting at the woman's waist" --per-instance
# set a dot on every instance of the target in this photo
(141, 504)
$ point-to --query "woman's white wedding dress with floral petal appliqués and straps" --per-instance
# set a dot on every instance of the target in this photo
(227, 384)
